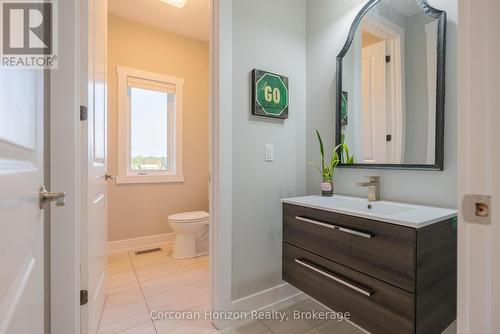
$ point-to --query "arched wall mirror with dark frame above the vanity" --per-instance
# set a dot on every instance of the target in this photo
(390, 87)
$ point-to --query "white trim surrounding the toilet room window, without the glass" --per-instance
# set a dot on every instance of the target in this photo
(128, 77)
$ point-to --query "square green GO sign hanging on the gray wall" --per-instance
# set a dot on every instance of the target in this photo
(270, 94)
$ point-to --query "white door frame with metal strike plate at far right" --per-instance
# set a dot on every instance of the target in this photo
(478, 161)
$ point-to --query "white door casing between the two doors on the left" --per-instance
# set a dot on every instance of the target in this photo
(65, 174)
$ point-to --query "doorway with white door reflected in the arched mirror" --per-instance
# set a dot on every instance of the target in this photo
(384, 111)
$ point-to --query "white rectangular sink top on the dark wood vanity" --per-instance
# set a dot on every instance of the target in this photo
(410, 215)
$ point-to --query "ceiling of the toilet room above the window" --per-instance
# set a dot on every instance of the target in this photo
(192, 20)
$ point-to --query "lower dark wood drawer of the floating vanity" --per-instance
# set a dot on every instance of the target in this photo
(374, 305)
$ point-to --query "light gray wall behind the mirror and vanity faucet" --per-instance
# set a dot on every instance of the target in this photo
(328, 23)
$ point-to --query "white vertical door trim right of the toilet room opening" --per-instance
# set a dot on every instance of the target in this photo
(220, 137)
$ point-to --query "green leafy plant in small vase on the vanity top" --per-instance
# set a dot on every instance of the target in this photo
(327, 168)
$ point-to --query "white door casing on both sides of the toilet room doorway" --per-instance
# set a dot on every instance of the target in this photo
(65, 163)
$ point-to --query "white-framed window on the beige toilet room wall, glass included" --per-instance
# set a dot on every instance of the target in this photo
(149, 127)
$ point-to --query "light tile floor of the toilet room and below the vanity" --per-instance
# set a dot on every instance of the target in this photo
(138, 284)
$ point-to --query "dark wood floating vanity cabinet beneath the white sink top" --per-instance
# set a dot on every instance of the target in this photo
(390, 278)
